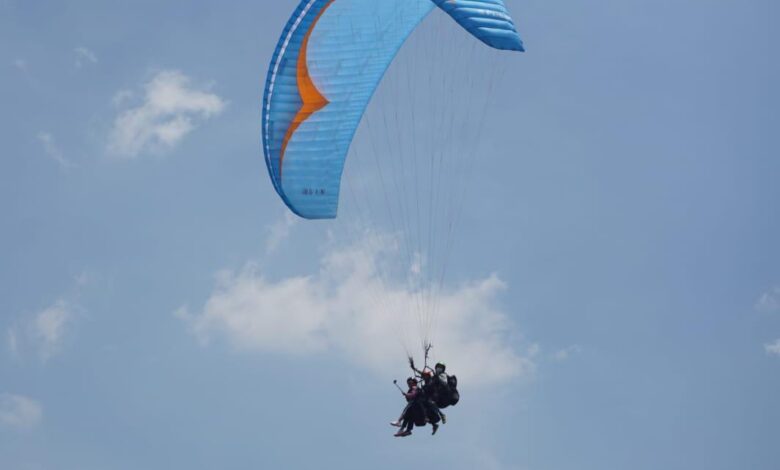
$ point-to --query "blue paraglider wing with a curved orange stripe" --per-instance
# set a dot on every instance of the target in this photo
(330, 58)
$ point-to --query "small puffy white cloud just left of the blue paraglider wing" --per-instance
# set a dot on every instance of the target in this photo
(171, 109)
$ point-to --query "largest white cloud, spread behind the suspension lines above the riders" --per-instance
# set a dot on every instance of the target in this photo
(346, 308)
